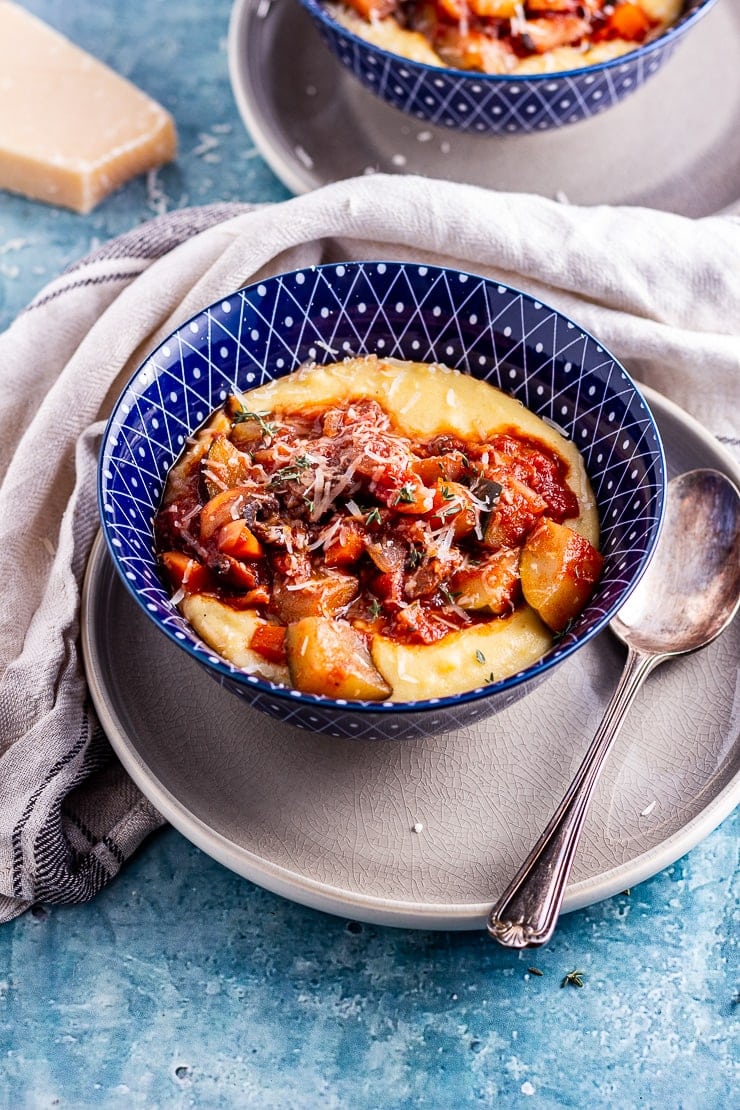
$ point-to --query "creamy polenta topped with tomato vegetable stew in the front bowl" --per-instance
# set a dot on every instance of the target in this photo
(379, 530)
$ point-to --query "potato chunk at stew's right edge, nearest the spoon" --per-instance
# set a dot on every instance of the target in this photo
(559, 571)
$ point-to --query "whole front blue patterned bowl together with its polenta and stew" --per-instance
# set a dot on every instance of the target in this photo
(392, 354)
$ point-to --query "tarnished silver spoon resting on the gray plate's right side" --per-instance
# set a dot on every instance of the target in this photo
(688, 596)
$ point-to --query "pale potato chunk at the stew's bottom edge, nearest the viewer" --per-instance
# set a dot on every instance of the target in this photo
(330, 658)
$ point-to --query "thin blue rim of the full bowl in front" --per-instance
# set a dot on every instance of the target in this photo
(534, 672)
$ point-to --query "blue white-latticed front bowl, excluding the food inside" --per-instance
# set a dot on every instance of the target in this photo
(406, 311)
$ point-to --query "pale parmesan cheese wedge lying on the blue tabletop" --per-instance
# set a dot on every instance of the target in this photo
(72, 130)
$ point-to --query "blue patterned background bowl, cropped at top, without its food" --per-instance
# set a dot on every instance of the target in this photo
(484, 104)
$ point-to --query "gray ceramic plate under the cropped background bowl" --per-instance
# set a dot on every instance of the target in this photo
(673, 145)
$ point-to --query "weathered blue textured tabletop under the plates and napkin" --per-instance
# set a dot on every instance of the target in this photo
(184, 985)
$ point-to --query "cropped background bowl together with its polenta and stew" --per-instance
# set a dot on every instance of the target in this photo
(502, 66)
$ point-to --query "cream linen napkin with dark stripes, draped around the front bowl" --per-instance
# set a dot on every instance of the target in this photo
(662, 291)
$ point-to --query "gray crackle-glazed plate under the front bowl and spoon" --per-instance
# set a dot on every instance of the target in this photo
(424, 833)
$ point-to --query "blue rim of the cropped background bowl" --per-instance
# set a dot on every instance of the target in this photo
(318, 12)
